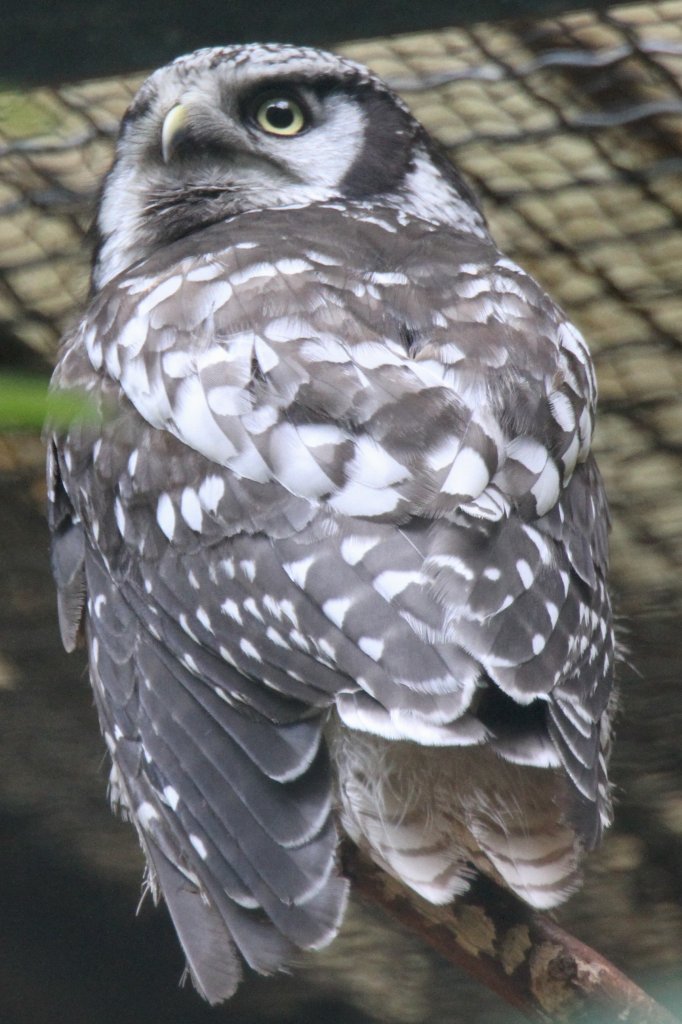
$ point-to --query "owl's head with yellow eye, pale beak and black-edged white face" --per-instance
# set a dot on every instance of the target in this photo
(226, 132)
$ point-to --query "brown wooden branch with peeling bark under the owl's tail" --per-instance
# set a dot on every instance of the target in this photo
(520, 954)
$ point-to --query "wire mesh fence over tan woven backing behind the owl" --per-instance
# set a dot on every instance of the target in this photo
(570, 130)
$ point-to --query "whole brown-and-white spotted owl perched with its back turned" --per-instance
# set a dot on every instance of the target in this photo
(331, 530)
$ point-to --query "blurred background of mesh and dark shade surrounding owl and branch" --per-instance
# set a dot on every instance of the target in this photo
(569, 124)
